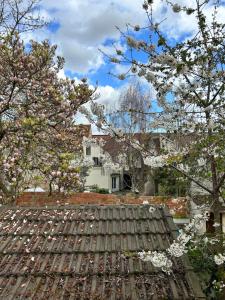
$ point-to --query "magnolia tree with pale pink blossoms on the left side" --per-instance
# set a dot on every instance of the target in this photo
(38, 136)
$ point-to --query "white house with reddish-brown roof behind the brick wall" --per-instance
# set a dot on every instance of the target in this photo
(135, 173)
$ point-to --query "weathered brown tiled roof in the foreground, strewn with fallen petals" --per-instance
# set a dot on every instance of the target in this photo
(88, 252)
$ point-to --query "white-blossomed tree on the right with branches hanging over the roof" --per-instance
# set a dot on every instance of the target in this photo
(188, 79)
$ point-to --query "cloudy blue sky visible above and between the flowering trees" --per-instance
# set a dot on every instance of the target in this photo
(80, 28)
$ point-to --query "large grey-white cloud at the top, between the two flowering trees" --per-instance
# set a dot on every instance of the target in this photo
(87, 25)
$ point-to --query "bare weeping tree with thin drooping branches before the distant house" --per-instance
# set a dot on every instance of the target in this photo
(129, 118)
